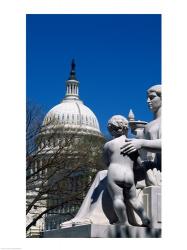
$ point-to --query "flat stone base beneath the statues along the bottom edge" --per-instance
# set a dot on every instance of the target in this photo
(103, 231)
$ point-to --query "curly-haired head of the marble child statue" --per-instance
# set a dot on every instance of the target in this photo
(118, 125)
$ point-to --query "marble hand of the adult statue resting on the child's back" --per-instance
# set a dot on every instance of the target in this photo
(131, 146)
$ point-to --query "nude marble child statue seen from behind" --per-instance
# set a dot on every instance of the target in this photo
(120, 178)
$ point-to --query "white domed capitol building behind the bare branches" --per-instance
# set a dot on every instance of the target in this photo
(70, 135)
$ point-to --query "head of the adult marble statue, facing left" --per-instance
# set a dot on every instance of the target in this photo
(154, 97)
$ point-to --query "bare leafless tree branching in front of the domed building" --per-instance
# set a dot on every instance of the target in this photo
(60, 164)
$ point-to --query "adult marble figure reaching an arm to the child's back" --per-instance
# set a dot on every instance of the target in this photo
(151, 139)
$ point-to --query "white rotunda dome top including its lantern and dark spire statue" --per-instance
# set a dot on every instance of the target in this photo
(71, 114)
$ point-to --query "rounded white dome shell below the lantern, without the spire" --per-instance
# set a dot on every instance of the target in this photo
(73, 114)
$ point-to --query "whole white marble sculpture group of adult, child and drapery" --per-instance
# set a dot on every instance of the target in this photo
(128, 166)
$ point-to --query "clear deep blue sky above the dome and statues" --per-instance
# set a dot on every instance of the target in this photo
(117, 58)
